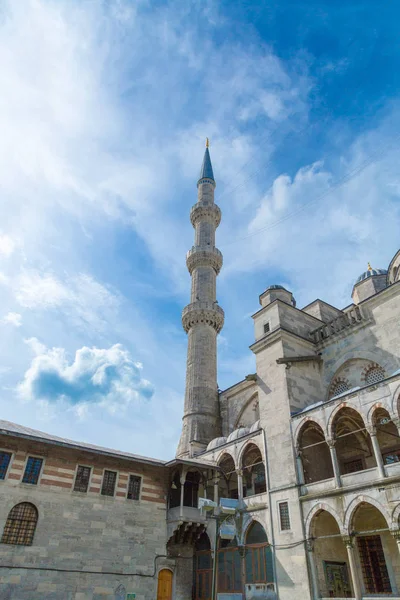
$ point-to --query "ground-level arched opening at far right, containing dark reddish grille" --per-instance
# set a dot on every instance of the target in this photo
(377, 550)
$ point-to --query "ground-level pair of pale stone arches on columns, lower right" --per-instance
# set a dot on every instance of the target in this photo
(356, 557)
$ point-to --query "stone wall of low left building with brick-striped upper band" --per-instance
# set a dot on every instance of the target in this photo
(97, 542)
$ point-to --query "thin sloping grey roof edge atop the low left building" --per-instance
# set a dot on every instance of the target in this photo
(8, 428)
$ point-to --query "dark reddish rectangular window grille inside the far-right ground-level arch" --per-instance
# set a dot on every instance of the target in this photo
(373, 565)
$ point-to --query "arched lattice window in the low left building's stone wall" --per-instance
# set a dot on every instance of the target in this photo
(20, 525)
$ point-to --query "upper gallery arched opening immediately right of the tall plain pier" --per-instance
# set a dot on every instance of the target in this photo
(315, 453)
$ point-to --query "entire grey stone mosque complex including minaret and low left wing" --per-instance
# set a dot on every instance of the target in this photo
(296, 468)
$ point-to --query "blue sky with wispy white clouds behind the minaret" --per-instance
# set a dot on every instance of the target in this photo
(104, 110)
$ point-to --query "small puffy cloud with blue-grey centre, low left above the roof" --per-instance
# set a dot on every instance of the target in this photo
(104, 376)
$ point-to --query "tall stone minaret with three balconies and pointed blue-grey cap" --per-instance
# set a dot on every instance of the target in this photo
(202, 319)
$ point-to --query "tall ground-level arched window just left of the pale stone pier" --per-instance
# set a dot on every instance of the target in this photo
(258, 556)
